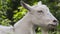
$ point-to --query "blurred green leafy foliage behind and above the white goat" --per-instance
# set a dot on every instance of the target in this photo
(11, 11)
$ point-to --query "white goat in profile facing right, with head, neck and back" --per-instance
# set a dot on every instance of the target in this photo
(38, 15)
